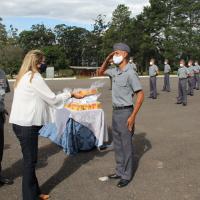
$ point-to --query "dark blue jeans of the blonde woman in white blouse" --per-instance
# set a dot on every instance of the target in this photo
(28, 138)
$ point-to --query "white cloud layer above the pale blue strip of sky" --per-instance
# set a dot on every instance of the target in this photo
(78, 11)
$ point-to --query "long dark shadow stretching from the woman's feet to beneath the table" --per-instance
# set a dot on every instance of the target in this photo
(70, 165)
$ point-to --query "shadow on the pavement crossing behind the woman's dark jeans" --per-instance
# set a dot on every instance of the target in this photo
(44, 152)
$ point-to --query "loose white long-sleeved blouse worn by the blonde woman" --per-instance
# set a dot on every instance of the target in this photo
(33, 102)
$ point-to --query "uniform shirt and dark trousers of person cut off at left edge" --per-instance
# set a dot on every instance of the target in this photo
(4, 88)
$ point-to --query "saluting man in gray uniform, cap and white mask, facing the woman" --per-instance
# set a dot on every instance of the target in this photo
(125, 84)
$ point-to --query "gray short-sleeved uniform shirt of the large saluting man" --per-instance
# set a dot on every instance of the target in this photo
(124, 84)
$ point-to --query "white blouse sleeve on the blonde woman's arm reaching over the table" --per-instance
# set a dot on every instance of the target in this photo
(44, 92)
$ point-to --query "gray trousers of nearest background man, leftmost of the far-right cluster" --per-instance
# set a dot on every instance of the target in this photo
(182, 90)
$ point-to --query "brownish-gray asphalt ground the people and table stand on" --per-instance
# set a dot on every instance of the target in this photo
(167, 154)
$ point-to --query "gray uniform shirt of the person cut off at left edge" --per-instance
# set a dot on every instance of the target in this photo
(4, 88)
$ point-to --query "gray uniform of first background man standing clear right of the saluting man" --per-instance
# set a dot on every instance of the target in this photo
(153, 87)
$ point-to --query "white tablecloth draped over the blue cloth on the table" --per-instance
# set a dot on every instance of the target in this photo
(92, 119)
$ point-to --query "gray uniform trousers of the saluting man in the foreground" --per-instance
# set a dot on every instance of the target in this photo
(123, 146)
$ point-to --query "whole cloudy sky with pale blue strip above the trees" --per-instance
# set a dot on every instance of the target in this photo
(22, 14)
